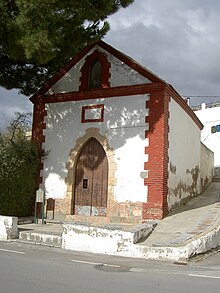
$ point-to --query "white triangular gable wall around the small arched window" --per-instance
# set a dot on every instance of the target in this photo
(121, 74)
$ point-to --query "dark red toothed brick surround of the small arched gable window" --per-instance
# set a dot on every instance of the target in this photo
(85, 70)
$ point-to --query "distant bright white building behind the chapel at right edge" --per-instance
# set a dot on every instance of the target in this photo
(210, 117)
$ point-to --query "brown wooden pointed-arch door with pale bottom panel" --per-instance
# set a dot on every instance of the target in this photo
(91, 180)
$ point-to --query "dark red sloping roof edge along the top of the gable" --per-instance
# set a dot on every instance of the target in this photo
(121, 56)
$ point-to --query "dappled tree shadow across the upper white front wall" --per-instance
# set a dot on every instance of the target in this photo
(120, 124)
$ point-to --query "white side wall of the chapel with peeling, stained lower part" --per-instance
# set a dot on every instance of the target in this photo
(184, 156)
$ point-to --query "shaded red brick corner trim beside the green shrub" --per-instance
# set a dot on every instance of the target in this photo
(38, 127)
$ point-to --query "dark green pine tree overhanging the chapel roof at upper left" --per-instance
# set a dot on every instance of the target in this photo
(37, 37)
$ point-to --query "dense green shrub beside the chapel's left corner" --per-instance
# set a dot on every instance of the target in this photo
(19, 163)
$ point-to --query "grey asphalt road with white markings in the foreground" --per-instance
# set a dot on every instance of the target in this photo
(35, 269)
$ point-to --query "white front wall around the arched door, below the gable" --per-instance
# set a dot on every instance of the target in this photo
(124, 126)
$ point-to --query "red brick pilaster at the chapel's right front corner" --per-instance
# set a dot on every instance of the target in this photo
(157, 165)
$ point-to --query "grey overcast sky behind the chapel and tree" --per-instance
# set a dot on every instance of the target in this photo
(179, 40)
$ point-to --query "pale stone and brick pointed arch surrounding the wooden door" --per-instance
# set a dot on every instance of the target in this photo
(71, 165)
